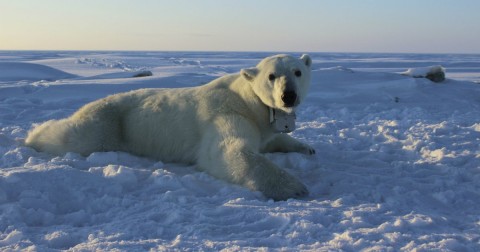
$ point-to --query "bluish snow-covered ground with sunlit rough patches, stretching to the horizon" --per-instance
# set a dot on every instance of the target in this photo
(397, 164)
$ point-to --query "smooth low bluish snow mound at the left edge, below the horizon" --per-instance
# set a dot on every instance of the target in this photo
(21, 71)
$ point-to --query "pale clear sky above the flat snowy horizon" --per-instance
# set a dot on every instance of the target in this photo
(422, 26)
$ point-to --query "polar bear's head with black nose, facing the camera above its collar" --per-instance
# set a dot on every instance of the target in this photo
(281, 81)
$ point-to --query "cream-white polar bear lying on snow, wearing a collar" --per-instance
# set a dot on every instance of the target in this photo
(223, 127)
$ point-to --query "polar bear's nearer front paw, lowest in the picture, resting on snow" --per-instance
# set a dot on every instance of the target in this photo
(285, 188)
